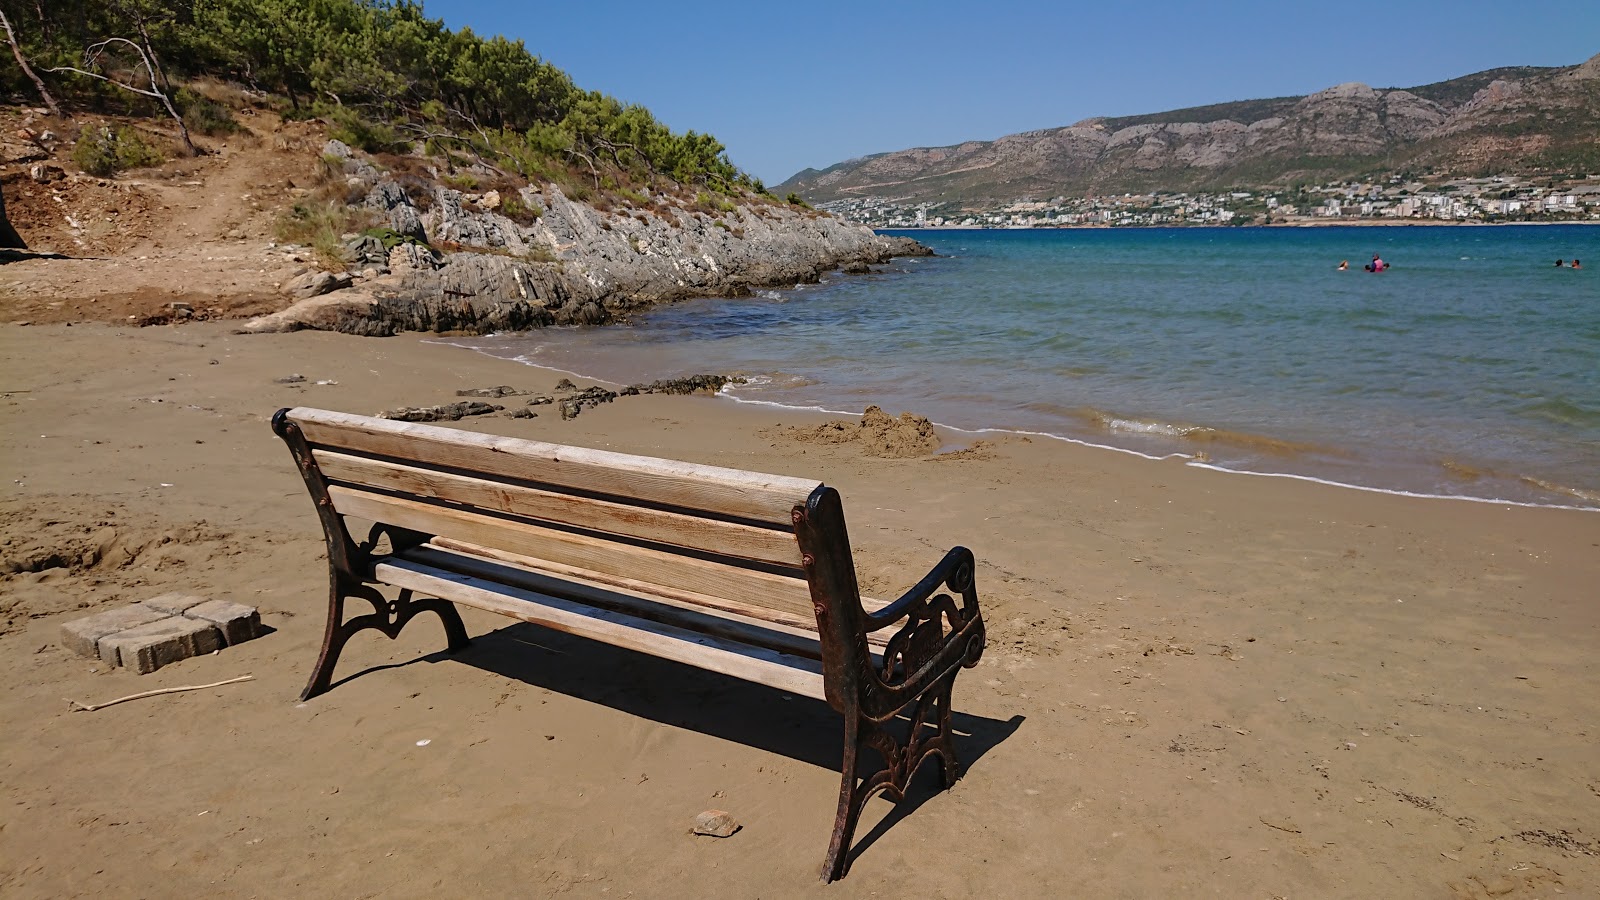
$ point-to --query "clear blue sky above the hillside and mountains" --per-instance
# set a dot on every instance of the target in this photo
(790, 86)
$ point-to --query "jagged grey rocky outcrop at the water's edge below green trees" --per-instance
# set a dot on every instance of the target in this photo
(449, 260)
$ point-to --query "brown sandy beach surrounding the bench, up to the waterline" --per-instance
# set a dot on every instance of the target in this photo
(1198, 683)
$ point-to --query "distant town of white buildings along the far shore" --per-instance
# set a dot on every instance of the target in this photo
(1394, 201)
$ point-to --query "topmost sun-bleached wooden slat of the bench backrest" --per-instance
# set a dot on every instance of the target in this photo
(668, 483)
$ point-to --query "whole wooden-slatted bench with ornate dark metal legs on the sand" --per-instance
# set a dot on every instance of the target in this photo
(734, 573)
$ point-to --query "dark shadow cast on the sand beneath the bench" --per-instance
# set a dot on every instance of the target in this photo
(729, 709)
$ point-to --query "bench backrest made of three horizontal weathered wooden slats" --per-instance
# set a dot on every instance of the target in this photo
(682, 526)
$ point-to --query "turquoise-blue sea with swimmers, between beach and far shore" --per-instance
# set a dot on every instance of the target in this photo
(1470, 369)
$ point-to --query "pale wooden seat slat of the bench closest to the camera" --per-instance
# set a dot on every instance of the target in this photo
(740, 661)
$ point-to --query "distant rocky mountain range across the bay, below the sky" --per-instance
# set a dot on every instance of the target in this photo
(1503, 121)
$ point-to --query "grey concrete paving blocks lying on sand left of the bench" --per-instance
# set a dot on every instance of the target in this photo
(164, 630)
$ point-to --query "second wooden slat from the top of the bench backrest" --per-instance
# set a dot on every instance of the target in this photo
(732, 539)
